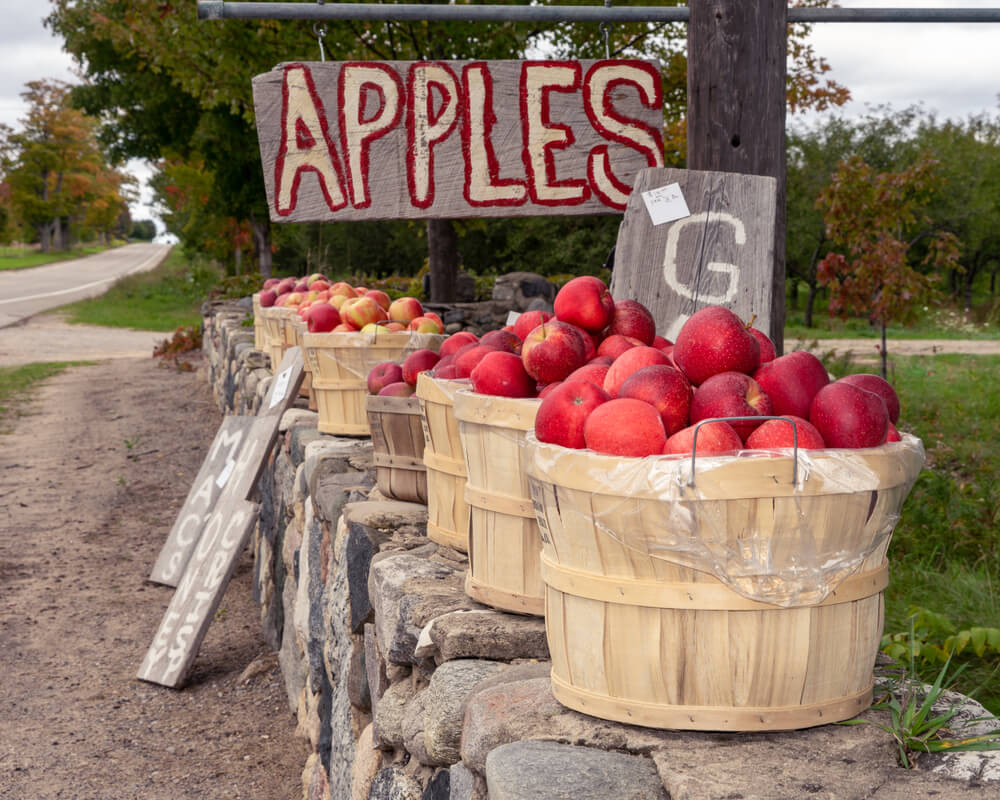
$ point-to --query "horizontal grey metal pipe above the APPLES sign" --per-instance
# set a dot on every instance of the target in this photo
(222, 9)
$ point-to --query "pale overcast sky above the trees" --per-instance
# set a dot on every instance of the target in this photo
(952, 69)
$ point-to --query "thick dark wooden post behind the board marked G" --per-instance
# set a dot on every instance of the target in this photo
(736, 105)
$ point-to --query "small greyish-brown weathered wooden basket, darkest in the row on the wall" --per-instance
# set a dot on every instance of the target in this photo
(398, 447)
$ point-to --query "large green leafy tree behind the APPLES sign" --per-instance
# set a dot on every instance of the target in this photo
(168, 85)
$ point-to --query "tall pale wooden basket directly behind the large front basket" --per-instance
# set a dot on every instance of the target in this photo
(505, 546)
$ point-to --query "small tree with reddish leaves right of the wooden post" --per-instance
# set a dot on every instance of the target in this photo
(876, 219)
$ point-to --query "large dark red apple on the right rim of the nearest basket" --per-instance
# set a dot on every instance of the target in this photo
(848, 416)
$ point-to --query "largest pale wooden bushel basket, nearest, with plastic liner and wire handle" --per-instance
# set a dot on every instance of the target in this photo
(644, 640)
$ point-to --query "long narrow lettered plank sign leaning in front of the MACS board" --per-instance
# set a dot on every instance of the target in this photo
(223, 538)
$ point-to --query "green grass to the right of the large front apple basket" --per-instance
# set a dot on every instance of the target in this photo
(945, 552)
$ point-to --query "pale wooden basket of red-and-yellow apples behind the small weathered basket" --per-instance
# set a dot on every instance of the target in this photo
(340, 363)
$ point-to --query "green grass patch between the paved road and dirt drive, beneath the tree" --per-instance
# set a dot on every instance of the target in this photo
(163, 299)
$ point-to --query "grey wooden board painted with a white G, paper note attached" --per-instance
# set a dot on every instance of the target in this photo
(690, 239)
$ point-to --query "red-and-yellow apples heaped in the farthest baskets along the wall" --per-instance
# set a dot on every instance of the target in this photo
(337, 306)
